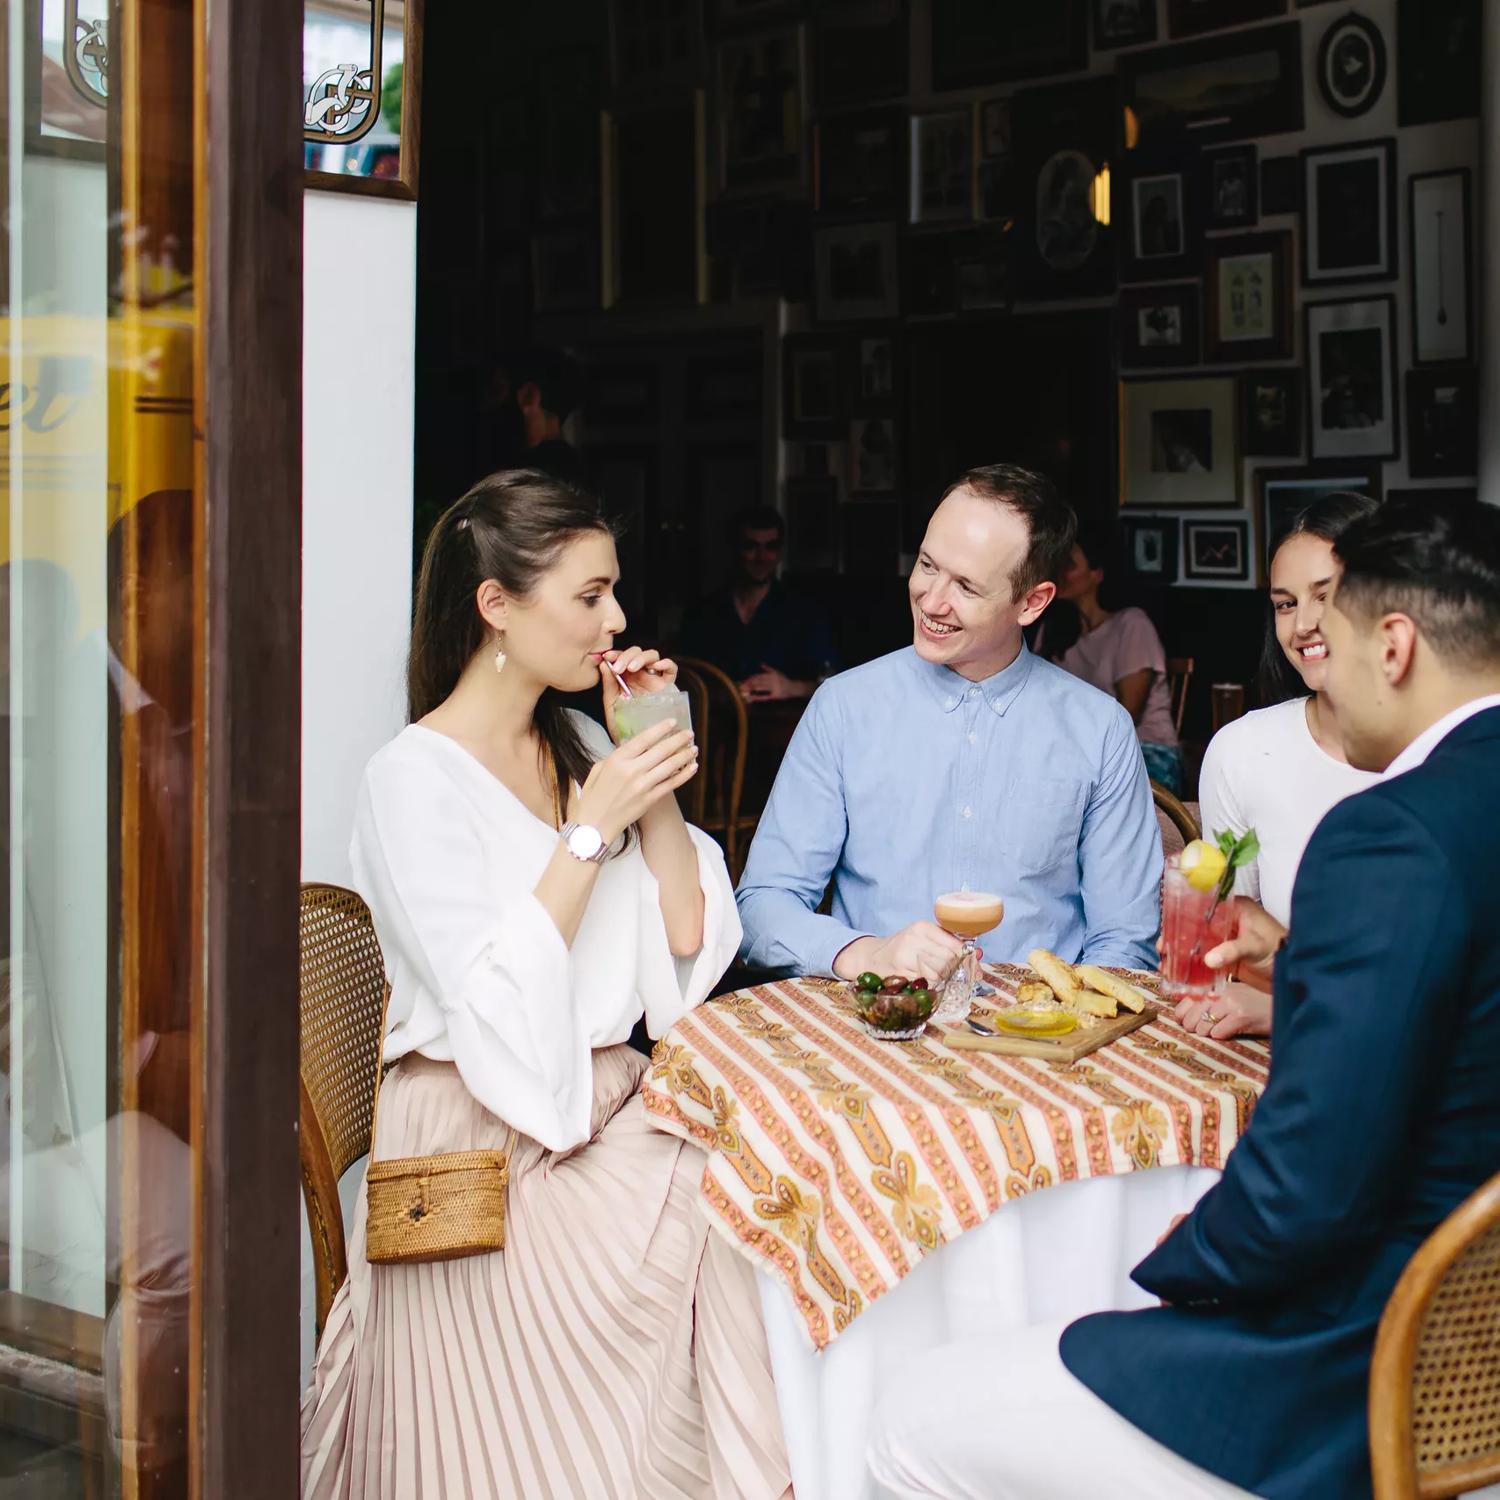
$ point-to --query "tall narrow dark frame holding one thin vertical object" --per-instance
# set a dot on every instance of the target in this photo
(1442, 268)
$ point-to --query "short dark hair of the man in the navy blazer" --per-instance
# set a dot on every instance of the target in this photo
(1436, 560)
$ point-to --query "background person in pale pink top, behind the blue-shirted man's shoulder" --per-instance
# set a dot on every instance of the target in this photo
(1120, 653)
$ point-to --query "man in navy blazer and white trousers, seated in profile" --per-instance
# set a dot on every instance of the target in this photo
(1381, 1117)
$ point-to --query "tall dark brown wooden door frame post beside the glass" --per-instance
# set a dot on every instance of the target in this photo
(248, 1234)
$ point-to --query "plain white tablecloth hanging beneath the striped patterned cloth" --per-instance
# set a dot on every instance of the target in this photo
(1055, 1255)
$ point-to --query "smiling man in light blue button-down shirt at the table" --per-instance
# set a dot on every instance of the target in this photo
(962, 763)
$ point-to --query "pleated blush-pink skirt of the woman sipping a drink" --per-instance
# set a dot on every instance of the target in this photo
(613, 1349)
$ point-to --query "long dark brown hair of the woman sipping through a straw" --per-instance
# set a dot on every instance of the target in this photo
(511, 527)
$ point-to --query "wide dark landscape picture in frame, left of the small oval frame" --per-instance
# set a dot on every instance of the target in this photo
(1219, 89)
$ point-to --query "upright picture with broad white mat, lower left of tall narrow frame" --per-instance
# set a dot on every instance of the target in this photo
(1352, 388)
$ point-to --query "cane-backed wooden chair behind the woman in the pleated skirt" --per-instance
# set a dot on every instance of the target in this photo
(343, 997)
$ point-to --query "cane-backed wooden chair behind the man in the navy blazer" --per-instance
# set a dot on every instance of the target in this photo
(1435, 1381)
